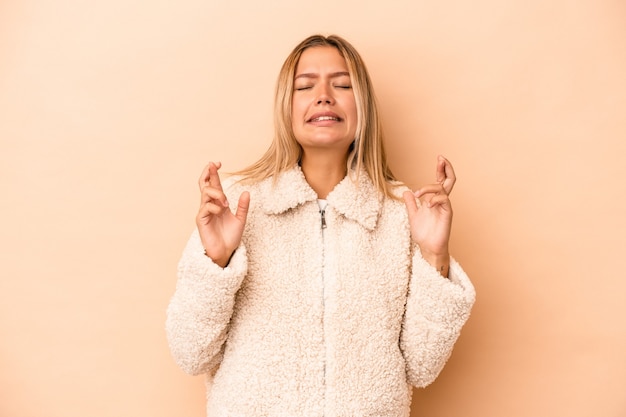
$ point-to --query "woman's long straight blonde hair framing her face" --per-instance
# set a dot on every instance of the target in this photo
(366, 153)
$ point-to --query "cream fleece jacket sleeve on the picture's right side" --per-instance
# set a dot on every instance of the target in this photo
(436, 310)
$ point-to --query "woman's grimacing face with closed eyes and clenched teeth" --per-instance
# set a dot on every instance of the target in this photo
(323, 108)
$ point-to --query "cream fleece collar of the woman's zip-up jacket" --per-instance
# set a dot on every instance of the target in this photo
(357, 200)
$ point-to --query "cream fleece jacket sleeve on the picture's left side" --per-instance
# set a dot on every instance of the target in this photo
(199, 312)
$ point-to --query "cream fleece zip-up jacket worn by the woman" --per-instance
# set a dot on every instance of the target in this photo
(306, 321)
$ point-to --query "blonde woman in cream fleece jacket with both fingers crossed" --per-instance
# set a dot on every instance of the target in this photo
(329, 289)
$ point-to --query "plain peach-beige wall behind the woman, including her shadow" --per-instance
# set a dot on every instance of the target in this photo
(110, 109)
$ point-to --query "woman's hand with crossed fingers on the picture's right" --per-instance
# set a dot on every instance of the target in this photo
(431, 219)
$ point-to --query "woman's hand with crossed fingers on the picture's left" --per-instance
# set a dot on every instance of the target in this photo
(220, 230)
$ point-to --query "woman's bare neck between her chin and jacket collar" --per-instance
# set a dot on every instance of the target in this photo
(323, 171)
